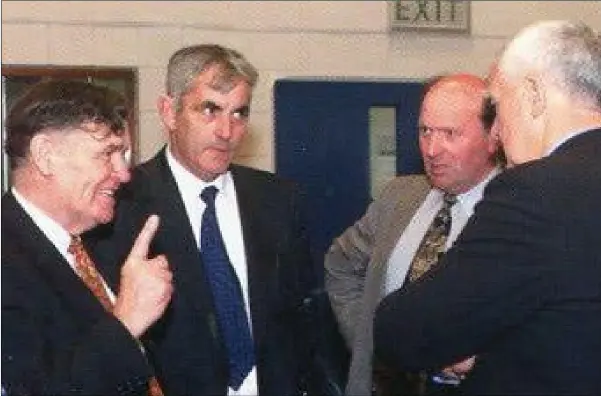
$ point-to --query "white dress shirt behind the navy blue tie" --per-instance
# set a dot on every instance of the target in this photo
(230, 225)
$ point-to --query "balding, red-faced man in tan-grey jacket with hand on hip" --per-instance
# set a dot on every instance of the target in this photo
(374, 256)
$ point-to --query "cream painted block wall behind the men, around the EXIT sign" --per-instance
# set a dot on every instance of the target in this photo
(282, 38)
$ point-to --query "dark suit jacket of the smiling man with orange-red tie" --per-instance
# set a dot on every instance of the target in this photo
(56, 337)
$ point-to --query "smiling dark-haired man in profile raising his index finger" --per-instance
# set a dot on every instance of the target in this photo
(64, 332)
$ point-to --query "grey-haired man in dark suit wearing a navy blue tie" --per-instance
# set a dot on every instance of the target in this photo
(250, 219)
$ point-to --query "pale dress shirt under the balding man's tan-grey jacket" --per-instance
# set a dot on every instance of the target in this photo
(406, 247)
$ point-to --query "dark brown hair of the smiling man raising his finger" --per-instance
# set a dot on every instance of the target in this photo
(60, 105)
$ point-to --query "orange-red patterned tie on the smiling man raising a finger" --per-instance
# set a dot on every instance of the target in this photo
(86, 269)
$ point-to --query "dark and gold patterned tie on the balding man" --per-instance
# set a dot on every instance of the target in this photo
(433, 243)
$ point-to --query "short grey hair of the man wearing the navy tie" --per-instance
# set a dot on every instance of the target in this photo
(187, 63)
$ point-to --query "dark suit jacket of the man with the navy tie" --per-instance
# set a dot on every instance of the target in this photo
(189, 354)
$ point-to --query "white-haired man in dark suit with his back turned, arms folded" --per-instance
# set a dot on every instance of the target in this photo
(521, 285)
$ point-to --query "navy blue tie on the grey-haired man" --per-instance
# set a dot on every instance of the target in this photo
(227, 294)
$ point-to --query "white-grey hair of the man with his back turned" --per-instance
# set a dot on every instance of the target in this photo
(568, 54)
